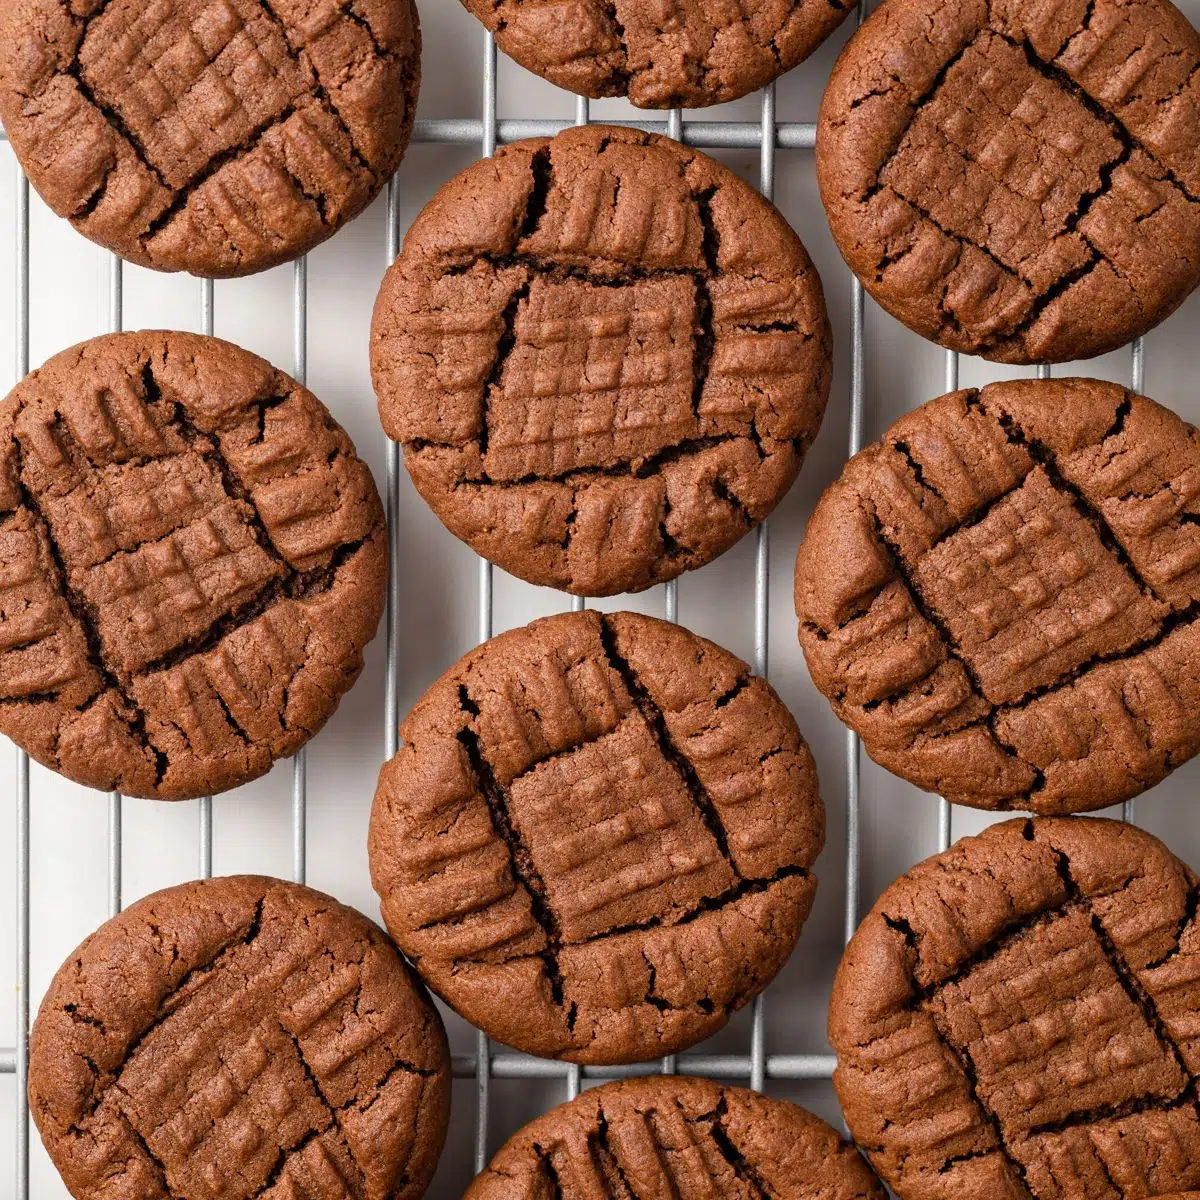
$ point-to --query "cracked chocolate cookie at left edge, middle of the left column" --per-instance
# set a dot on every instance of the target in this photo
(193, 560)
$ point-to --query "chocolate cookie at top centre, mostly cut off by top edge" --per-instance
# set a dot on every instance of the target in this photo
(689, 53)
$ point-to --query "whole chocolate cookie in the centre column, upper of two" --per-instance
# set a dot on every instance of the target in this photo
(605, 357)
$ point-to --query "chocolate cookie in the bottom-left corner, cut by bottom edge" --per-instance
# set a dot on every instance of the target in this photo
(241, 1037)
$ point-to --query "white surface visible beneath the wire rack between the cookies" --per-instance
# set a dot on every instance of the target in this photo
(439, 589)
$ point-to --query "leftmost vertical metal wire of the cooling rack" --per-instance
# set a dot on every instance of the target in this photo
(21, 1052)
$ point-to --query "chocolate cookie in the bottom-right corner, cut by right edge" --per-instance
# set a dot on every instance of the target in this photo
(1017, 1018)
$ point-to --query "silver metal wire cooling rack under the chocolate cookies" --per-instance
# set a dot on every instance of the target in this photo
(757, 1066)
